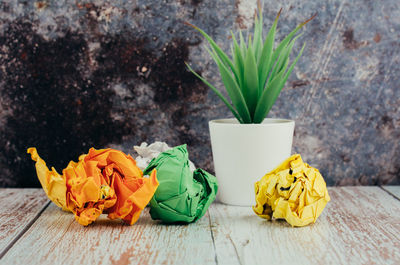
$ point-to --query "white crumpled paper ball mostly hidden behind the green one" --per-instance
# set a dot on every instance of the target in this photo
(147, 152)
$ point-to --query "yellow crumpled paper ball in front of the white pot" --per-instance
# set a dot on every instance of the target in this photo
(293, 191)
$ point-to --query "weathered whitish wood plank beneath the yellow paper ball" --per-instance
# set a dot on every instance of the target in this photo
(361, 225)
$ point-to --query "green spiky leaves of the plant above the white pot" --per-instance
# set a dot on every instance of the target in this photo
(257, 72)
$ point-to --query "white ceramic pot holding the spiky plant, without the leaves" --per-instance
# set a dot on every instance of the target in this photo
(243, 153)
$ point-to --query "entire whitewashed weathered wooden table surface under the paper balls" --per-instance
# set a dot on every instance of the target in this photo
(361, 225)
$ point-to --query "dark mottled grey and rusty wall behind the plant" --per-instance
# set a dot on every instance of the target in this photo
(76, 74)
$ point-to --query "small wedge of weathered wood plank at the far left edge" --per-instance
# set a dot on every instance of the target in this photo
(18, 208)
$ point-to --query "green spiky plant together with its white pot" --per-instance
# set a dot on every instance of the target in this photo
(247, 147)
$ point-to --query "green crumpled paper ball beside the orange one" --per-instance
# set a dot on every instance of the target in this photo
(182, 196)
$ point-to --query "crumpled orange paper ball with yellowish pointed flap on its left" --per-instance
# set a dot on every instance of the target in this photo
(102, 181)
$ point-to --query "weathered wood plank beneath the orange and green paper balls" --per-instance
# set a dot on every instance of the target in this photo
(56, 238)
